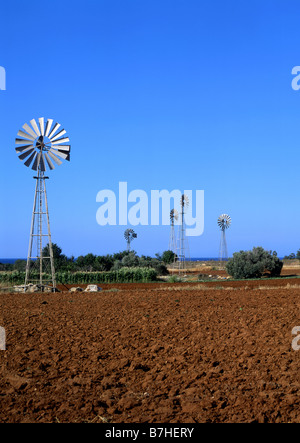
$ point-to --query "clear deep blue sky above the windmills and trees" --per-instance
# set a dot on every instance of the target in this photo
(161, 94)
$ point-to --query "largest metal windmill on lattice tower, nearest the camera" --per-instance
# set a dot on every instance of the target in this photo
(41, 146)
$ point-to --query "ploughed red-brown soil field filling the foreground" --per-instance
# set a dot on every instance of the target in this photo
(157, 352)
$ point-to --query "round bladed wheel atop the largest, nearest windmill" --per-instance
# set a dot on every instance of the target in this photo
(41, 145)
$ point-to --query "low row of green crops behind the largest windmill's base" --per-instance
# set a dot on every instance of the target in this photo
(124, 275)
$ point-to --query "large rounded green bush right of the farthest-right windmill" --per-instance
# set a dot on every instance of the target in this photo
(254, 264)
